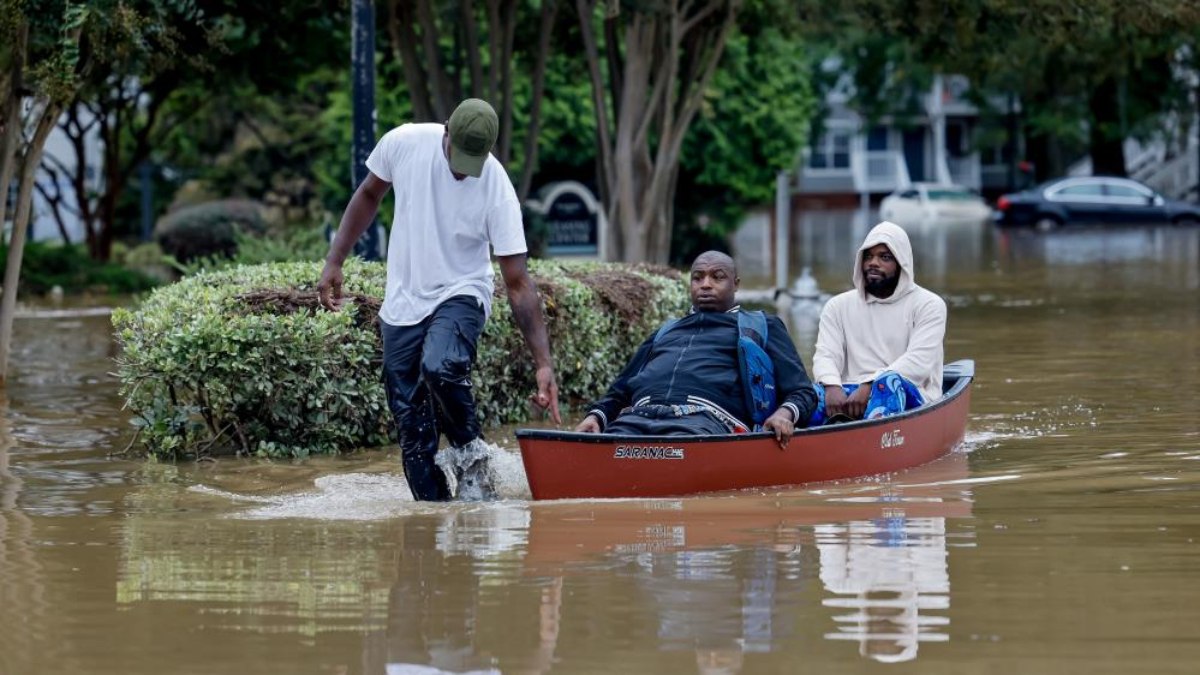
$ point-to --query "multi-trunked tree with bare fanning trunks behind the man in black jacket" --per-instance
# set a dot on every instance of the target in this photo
(647, 88)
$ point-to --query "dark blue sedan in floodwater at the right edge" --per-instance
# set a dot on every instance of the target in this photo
(1094, 200)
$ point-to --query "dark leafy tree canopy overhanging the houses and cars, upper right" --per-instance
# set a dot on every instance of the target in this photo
(1090, 75)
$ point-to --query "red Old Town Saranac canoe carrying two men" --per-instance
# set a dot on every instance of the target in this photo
(562, 465)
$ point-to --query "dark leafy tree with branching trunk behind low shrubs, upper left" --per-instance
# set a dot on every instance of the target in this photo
(187, 56)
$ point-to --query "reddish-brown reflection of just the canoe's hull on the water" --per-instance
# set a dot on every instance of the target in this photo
(579, 533)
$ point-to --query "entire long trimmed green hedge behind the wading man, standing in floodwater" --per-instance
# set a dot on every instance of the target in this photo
(242, 361)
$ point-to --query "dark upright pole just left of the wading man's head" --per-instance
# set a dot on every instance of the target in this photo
(370, 246)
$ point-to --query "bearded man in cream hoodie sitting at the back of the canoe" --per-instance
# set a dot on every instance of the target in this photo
(880, 345)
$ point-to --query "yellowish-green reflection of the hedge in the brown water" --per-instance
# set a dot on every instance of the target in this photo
(323, 578)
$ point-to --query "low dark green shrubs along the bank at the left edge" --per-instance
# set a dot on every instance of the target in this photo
(46, 266)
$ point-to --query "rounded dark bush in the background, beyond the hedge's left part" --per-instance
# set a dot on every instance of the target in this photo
(209, 229)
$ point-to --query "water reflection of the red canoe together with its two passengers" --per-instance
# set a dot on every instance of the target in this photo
(728, 581)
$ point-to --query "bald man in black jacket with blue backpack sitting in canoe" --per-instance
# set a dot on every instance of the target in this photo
(687, 378)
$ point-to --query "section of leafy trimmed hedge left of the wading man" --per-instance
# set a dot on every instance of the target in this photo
(205, 372)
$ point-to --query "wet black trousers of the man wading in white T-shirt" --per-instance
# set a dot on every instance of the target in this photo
(428, 377)
